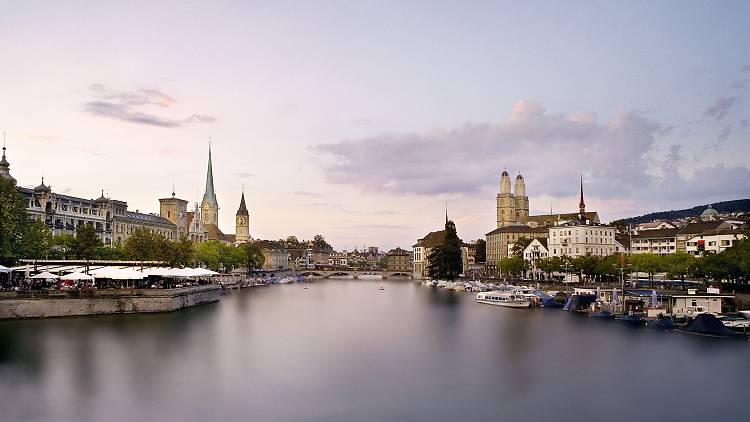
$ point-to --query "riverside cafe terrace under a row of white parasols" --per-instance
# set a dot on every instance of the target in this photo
(108, 276)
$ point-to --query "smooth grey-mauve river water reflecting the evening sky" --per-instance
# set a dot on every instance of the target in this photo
(345, 351)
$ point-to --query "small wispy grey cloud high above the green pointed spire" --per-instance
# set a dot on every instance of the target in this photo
(123, 105)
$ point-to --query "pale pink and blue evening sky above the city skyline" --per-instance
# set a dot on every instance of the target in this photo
(360, 120)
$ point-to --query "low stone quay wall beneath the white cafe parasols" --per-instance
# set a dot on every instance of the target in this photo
(48, 303)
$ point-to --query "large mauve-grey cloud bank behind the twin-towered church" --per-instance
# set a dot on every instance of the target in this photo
(618, 159)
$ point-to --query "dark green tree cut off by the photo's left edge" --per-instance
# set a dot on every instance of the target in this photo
(14, 222)
